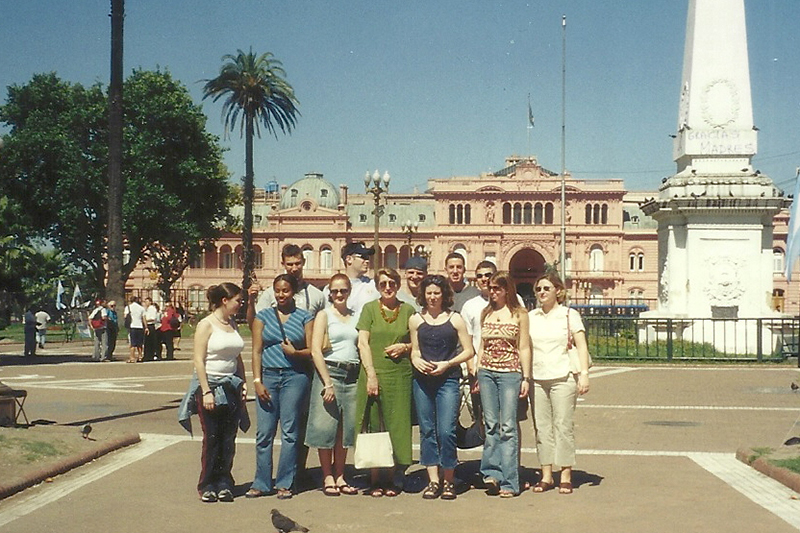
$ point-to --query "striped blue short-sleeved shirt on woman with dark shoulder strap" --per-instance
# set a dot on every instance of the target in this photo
(272, 355)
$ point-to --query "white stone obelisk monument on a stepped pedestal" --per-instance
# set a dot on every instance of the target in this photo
(715, 214)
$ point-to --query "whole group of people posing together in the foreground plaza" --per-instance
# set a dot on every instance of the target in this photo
(364, 352)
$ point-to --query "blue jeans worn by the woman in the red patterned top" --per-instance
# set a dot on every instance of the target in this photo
(499, 397)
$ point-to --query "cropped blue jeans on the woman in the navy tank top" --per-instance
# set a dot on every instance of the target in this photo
(437, 402)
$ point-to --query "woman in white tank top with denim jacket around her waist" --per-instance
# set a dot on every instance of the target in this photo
(218, 392)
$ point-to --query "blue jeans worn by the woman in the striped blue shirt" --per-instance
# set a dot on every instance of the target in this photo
(288, 390)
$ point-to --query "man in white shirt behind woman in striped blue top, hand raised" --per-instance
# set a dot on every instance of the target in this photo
(308, 297)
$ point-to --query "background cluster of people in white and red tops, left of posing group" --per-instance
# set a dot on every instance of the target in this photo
(151, 330)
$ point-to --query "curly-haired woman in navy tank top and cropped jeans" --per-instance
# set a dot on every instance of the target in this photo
(436, 336)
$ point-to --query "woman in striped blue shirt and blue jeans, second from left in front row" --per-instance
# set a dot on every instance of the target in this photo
(281, 373)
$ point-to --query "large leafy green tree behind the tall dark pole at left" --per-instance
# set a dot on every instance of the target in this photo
(54, 163)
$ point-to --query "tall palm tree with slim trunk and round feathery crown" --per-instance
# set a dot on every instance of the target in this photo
(256, 93)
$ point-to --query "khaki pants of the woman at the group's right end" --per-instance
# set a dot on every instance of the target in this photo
(554, 410)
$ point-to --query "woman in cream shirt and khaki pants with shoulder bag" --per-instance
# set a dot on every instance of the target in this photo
(554, 329)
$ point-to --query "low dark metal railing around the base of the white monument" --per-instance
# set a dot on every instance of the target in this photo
(685, 339)
